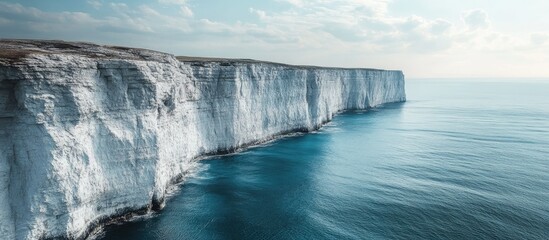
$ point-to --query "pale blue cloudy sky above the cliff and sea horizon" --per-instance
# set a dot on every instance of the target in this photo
(424, 38)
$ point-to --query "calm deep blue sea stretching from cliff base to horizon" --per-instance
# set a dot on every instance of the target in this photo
(459, 160)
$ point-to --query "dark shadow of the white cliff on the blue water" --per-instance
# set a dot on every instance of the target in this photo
(264, 187)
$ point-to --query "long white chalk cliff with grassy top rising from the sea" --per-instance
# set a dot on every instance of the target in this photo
(90, 132)
